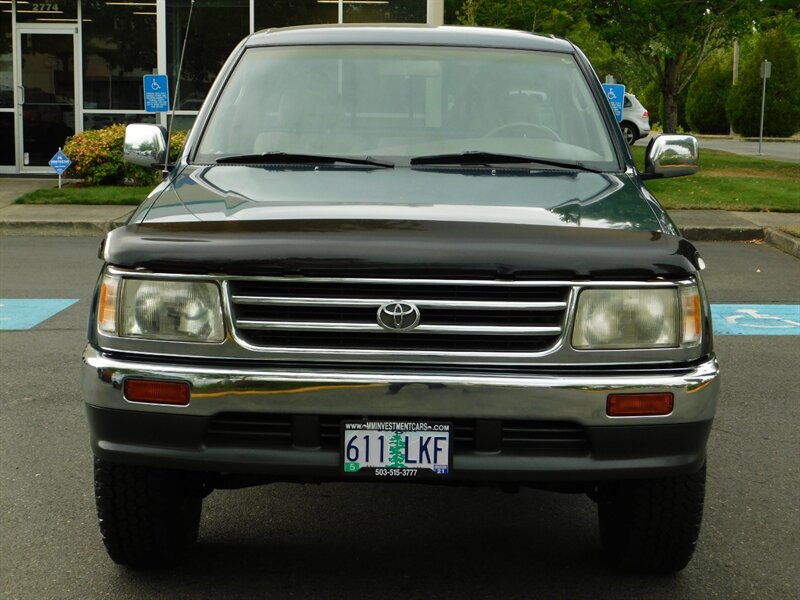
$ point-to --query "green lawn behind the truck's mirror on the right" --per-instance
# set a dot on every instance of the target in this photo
(730, 182)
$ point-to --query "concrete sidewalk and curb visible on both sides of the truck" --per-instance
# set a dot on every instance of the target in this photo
(70, 220)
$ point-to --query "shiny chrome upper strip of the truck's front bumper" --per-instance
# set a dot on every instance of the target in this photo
(313, 390)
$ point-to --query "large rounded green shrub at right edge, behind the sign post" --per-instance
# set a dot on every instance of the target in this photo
(782, 109)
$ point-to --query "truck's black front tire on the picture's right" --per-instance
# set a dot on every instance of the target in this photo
(652, 525)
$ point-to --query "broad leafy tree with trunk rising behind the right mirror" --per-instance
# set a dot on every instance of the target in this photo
(670, 40)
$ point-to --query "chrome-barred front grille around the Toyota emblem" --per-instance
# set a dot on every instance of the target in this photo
(461, 316)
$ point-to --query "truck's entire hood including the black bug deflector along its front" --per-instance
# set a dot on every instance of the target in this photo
(402, 223)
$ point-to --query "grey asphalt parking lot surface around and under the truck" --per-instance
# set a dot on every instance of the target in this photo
(395, 541)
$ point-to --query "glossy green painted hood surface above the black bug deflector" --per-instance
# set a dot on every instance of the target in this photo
(481, 195)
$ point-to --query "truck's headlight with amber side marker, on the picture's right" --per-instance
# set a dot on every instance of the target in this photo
(618, 319)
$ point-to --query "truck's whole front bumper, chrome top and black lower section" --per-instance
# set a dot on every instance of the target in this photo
(614, 448)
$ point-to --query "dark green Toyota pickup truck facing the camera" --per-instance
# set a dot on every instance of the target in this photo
(402, 254)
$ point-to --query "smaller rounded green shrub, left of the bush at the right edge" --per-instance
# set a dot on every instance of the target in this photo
(708, 94)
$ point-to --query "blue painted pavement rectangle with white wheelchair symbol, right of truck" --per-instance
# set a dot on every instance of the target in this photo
(756, 319)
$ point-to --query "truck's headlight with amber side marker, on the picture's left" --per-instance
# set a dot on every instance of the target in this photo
(187, 311)
